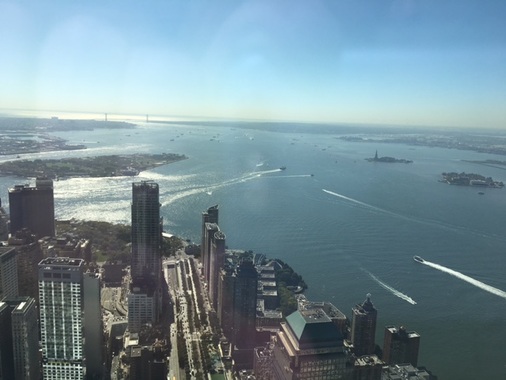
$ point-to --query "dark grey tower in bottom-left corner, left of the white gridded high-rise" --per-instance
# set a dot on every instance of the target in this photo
(19, 339)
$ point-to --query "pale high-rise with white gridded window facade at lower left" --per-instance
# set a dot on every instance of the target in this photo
(61, 318)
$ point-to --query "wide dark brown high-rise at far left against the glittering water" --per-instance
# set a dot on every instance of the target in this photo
(33, 208)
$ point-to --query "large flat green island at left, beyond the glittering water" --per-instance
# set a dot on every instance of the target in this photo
(100, 166)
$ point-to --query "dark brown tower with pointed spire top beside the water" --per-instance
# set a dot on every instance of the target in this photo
(363, 327)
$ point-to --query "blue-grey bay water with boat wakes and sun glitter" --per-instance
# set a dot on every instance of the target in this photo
(348, 226)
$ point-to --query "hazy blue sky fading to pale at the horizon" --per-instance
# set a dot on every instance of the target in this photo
(427, 62)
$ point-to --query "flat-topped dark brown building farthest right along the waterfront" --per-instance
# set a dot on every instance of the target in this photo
(400, 346)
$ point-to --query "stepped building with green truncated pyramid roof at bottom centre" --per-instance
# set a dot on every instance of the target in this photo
(309, 346)
